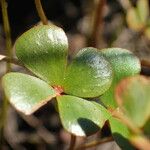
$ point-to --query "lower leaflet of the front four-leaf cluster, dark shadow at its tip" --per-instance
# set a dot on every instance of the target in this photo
(81, 117)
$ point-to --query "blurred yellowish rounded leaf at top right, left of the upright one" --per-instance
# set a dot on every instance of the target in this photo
(133, 20)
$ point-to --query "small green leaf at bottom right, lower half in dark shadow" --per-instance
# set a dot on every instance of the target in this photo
(120, 133)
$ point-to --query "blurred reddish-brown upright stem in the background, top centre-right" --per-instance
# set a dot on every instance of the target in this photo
(97, 24)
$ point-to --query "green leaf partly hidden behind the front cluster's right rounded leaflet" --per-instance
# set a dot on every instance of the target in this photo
(124, 64)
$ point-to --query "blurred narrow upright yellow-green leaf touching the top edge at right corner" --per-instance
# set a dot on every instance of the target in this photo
(143, 10)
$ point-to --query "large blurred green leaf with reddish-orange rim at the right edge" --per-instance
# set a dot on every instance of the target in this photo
(133, 97)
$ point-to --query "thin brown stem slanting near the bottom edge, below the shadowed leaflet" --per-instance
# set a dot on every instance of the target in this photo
(95, 143)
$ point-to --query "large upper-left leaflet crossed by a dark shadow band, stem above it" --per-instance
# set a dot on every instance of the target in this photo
(43, 50)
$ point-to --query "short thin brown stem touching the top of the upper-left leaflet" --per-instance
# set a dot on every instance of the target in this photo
(41, 12)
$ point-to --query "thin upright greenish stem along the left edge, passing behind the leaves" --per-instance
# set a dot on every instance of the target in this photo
(9, 54)
